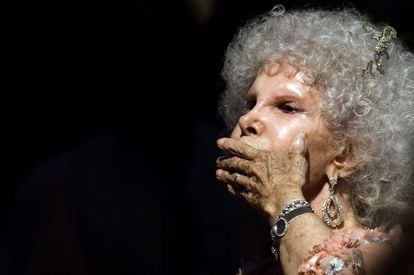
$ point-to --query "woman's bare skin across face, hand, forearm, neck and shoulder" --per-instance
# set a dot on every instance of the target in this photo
(280, 150)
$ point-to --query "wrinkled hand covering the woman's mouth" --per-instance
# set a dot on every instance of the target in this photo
(259, 172)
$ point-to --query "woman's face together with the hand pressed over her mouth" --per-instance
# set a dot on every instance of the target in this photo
(281, 149)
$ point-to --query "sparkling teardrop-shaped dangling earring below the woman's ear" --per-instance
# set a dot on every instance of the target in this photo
(332, 212)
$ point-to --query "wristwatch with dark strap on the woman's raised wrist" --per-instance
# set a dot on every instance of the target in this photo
(280, 225)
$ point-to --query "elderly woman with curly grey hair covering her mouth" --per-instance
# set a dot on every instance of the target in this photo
(322, 109)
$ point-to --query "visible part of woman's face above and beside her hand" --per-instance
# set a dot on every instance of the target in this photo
(280, 106)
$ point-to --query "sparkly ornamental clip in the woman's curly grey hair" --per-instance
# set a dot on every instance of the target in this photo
(374, 67)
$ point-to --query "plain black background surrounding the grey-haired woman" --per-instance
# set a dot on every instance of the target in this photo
(110, 140)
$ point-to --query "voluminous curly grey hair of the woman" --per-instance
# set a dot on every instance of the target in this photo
(373, 116)
